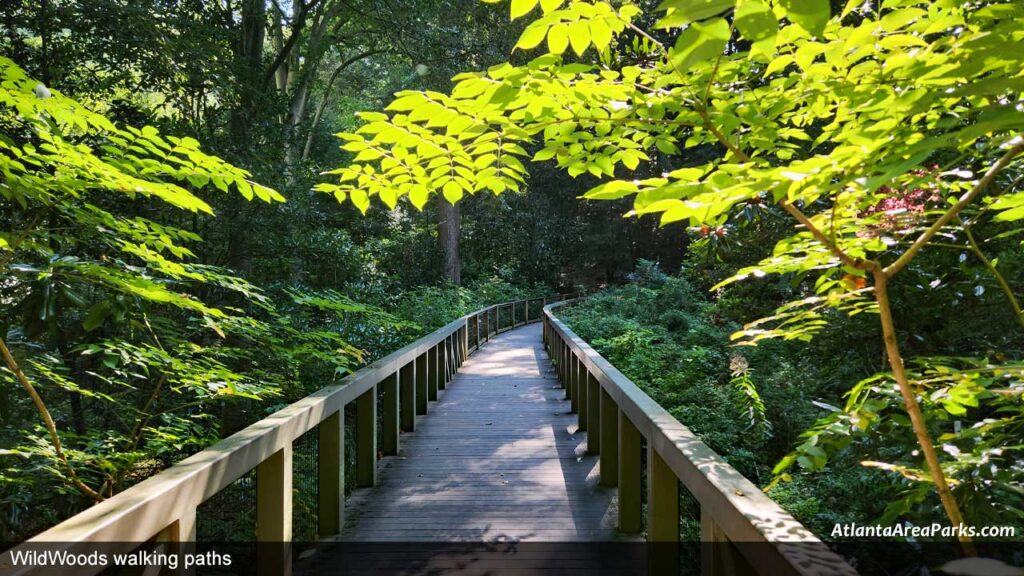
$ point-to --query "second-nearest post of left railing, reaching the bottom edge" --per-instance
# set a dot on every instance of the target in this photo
(274, 513)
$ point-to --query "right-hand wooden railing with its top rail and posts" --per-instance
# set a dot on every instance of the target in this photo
(616, 414)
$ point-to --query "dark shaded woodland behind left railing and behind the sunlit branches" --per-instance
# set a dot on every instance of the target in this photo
(264, 86)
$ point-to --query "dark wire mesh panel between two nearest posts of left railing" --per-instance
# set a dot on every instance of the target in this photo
(230, 516)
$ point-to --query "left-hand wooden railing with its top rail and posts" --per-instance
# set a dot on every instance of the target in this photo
(164, 507)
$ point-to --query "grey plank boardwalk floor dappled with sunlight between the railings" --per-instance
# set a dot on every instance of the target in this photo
(497, 459)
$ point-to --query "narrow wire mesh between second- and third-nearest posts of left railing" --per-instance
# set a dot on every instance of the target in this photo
(306, 487)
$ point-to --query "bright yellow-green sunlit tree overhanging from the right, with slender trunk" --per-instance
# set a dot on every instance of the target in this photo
(877, 131)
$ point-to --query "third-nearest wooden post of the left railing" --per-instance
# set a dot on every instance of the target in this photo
(331, 474)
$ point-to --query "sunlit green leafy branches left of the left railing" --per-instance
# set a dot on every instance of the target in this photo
(105, 305)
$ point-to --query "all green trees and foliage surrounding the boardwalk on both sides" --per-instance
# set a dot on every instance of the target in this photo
(842, 180)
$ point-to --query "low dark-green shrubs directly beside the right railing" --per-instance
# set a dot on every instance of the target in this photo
(747, 407)
